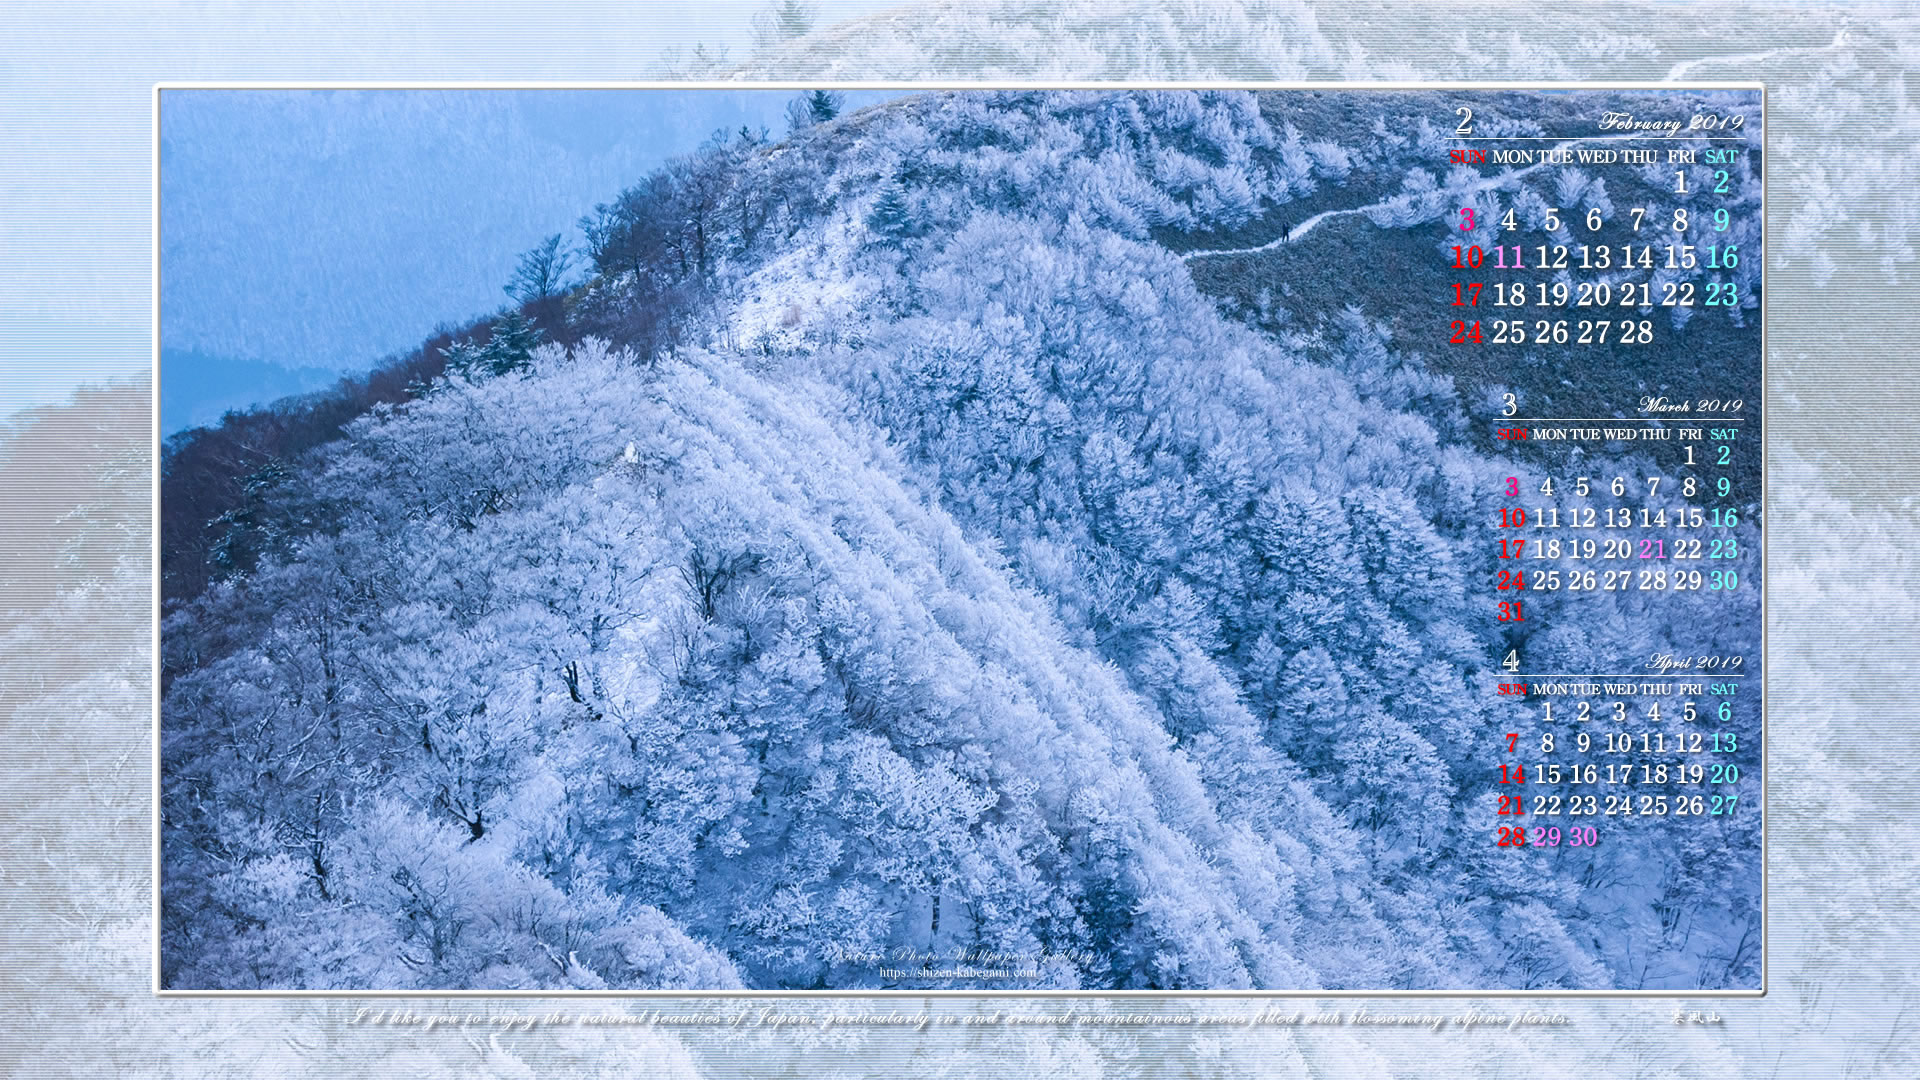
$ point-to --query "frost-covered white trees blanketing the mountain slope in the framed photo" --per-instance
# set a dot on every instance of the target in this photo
(930, 576)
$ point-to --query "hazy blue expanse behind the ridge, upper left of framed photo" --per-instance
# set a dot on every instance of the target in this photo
(325, 230)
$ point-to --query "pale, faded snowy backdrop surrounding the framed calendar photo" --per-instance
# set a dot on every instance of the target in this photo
(1842, 597)
